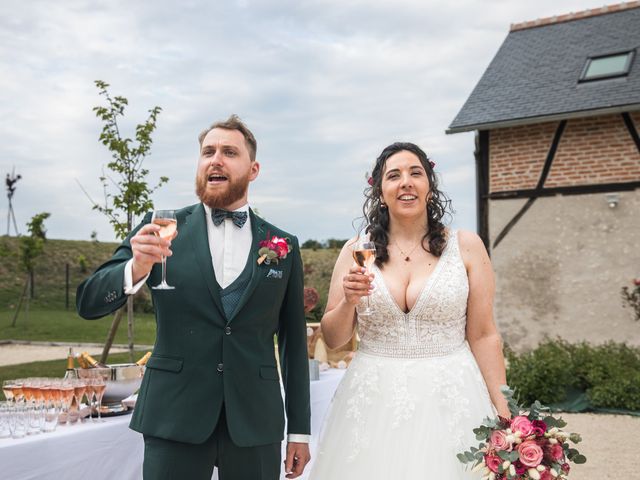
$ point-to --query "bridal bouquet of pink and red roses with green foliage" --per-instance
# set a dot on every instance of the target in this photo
(530, 445)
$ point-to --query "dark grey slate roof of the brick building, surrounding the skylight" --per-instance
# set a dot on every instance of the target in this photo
(535, 72)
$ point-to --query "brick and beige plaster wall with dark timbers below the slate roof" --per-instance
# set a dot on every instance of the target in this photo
(560, 269)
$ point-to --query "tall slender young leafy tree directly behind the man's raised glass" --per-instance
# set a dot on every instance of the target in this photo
(127, 195)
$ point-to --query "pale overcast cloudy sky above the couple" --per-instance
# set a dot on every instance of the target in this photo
(324, 85)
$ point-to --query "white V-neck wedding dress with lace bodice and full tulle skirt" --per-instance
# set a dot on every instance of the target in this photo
(413, 394)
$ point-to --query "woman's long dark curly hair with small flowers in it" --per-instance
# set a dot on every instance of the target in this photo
(377, 215)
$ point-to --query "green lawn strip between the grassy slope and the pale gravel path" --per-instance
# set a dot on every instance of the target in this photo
(51, 325)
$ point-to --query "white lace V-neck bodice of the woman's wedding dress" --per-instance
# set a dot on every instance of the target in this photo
(435, 325)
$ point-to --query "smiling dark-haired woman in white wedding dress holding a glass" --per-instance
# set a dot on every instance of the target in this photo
(429, 366)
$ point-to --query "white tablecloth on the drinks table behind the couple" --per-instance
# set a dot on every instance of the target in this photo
(110, 450)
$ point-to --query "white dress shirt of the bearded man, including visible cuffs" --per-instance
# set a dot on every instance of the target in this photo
(229, 246)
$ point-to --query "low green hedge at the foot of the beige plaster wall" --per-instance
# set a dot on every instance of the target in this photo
(609, 374)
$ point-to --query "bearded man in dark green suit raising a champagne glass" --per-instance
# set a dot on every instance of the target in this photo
(211, 392)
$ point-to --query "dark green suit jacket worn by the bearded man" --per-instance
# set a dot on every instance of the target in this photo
(201, 359)
